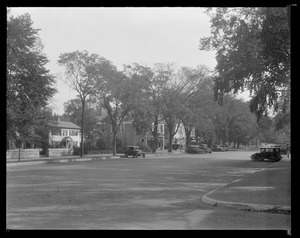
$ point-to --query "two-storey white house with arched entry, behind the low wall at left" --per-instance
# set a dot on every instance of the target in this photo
(65, 134)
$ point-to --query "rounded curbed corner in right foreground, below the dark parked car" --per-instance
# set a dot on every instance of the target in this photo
(265, 190)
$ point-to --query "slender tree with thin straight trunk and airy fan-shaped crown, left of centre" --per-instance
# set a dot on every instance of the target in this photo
(85, 73)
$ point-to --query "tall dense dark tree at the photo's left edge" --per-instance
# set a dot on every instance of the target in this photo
(29, 83)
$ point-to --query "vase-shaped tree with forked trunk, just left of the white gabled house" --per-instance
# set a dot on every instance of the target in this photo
(178, 101)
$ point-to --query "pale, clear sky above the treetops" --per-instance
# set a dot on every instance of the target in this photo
(122, 35)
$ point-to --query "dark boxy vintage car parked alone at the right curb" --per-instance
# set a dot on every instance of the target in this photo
(271, 154)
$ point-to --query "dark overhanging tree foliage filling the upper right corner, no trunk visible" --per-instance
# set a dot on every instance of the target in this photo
(253, 52)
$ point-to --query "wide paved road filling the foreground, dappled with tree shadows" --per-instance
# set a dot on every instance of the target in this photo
(152, 193)
